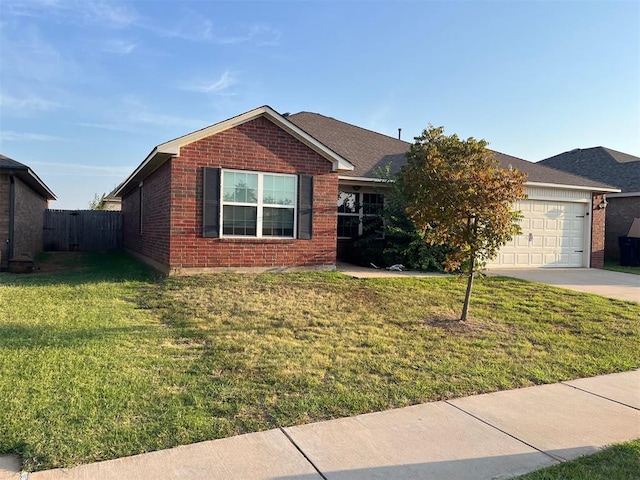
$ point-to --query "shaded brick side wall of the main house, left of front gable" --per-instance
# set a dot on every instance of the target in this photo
(153, 240)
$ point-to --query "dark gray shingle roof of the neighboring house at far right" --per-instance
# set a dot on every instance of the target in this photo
(600, 164)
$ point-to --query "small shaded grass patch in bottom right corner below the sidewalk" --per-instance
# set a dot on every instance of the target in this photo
(619, 462)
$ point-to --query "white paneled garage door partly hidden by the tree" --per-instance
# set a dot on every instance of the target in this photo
(552, 236)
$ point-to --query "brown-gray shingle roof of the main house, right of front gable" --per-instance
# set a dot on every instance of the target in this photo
(368, 150)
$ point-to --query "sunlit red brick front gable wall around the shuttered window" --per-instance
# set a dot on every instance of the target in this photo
(258, 145)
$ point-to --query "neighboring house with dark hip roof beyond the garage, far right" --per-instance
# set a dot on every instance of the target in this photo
(615, 168)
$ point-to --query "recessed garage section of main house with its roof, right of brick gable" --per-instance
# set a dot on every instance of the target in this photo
(563, 224)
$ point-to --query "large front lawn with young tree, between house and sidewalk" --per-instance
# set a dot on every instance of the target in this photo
(102, 360)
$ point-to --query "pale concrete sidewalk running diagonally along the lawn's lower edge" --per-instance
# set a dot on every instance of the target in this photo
(491, 436)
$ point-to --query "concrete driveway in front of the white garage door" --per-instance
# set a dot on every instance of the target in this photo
(623, 286)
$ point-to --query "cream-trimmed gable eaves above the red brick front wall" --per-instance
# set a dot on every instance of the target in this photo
(165, 151)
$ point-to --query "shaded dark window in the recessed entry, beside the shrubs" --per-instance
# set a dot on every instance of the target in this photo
(358, 212)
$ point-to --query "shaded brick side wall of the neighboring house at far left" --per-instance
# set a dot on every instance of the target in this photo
(28, 221)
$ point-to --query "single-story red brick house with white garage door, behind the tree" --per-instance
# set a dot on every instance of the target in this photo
(263, 190)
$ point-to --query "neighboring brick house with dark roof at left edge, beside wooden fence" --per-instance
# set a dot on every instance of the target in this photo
(23, 200)
